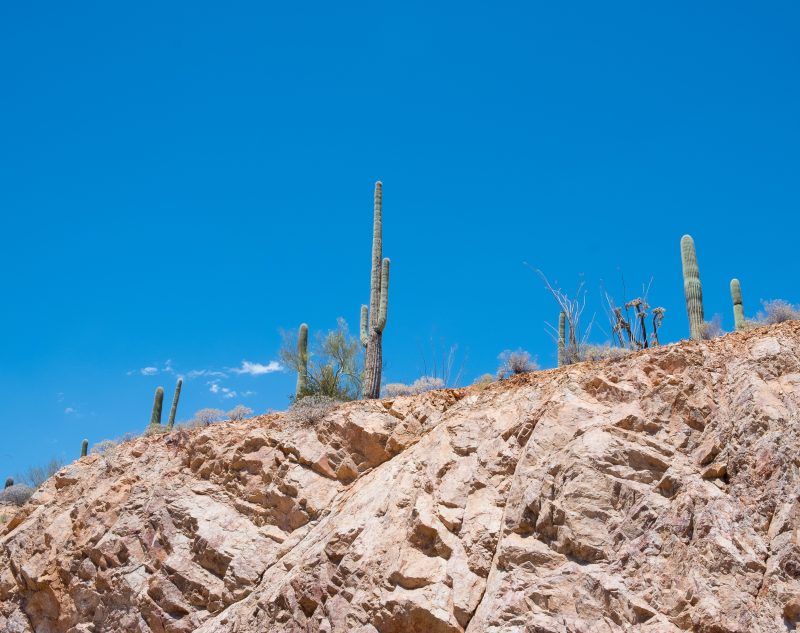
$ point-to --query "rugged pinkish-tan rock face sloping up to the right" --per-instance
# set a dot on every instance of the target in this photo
(654, 493)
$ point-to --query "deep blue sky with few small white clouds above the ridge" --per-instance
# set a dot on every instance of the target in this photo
(179, 181)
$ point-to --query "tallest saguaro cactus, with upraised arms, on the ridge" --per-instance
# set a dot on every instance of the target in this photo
(373, 318)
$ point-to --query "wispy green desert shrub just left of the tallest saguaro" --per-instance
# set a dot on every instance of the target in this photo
(333, 363)
